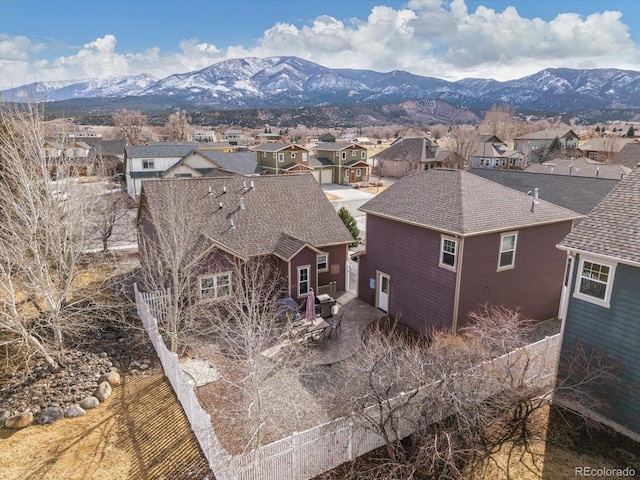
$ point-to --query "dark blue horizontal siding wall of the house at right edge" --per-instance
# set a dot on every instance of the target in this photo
(616, 332)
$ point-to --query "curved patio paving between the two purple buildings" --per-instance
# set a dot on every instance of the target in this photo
(356, 315)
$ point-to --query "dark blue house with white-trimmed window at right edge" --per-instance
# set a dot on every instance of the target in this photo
(601, 303)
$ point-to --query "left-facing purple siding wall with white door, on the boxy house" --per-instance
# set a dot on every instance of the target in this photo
(421, 292)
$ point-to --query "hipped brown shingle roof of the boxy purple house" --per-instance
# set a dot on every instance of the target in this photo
(459, 202)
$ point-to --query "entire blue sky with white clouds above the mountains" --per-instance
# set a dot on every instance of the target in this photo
(452, 39)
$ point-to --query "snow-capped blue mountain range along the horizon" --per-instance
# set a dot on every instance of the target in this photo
(286, 82)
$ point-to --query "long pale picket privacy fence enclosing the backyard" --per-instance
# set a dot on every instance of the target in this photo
(304, 455)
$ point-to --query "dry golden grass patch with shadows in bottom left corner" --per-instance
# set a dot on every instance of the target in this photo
(140, 432)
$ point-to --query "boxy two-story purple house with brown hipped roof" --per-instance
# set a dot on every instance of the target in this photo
(443, 242)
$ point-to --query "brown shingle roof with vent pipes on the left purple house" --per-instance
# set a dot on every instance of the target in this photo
(290, 205)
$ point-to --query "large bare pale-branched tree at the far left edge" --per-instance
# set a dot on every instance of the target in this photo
(42, 238)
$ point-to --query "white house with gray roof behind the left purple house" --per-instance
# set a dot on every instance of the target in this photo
(182, 160)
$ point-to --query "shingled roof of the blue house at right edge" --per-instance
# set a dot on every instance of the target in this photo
(613, 227)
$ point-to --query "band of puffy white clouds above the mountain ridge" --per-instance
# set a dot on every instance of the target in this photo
(428, 37)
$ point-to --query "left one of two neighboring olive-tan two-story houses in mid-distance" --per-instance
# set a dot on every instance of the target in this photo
(278, 158)
